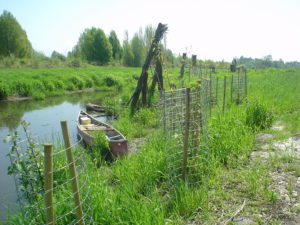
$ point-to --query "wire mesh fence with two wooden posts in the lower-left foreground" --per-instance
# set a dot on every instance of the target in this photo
(49, 192)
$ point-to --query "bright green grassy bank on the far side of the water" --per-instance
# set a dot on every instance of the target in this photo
(40, 83)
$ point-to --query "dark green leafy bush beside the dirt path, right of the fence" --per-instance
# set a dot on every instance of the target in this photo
(258, 116)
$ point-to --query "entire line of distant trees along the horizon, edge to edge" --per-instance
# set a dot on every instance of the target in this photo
(97, 48)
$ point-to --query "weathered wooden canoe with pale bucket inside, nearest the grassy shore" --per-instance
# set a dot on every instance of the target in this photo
(117, 141)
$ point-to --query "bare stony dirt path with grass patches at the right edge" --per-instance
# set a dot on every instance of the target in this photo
(284, 156)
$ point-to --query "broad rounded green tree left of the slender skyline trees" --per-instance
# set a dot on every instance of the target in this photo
(94, 46)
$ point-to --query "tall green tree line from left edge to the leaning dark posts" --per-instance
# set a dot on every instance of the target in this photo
(93, 47)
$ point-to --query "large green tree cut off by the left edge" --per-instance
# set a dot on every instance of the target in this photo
(13, 39)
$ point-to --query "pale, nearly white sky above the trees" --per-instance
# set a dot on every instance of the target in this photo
(212, 29)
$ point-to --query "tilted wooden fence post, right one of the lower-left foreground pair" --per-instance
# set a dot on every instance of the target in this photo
(72, 171)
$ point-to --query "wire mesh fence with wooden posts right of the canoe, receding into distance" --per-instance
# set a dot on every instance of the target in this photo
(185, 116)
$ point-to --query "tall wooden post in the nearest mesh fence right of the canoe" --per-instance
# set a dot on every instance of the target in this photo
(186, 134)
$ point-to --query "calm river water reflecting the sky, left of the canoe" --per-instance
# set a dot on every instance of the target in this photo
(44, 117)
